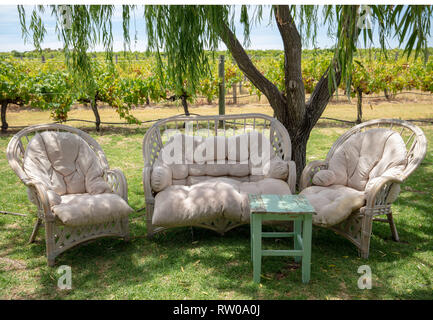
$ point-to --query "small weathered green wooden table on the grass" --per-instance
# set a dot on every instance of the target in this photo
(294, 208)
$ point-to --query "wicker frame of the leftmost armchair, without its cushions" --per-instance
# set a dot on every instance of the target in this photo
(60, 237)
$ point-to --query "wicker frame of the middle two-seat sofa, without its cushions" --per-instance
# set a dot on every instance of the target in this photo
(213, 125)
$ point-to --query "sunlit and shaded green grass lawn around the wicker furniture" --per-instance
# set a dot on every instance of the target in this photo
(187, 263)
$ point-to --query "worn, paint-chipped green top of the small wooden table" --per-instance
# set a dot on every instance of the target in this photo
(280, 204)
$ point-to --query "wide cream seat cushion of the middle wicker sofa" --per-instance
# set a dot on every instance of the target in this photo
(214, 198)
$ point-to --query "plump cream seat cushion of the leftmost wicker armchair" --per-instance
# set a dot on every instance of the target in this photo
(85, 209)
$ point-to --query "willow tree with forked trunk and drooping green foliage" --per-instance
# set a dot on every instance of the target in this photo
(185, 32)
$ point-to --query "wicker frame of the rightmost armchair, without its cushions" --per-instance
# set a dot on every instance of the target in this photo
(381, 191)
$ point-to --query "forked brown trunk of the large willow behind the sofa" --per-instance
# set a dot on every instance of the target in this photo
(289, 106)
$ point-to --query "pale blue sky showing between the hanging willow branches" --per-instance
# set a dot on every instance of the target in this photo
(263, 36)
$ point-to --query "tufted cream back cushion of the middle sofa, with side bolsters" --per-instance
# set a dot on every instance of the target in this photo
(228, 157)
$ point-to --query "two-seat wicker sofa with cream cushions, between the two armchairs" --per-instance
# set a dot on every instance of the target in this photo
(212, 191)
